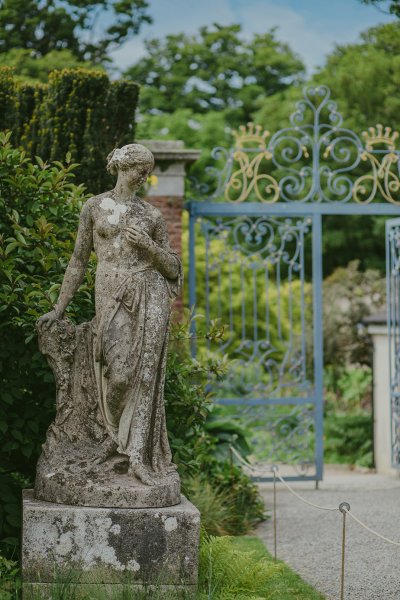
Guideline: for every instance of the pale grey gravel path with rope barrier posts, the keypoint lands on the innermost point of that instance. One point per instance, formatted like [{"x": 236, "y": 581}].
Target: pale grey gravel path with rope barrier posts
[{"x": 309, "y": 540}]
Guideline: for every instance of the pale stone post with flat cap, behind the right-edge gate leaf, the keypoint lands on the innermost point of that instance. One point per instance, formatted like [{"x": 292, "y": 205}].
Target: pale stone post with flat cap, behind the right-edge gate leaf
[{"x": 377, "y": 328}]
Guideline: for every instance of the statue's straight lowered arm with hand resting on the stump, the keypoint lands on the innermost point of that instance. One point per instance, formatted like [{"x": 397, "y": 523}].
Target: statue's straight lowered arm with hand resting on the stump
[{"x": 76, "y": 268}]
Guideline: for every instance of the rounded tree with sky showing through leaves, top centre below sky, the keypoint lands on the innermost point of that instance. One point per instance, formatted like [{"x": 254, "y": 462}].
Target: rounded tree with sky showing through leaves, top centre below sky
[{"x": 217, "y": 69}]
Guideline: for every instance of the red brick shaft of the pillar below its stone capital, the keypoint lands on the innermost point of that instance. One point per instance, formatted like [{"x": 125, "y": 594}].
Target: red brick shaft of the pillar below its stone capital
[{"x": 171, "y": 208}]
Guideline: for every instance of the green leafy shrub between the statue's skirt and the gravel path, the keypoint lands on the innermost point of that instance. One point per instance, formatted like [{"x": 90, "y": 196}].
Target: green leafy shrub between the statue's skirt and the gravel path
[{"x": 200, "y": 437}]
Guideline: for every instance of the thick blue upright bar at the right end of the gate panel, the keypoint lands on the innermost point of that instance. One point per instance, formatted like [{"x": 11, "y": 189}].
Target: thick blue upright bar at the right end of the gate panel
[{"x": 317, "y": 278}]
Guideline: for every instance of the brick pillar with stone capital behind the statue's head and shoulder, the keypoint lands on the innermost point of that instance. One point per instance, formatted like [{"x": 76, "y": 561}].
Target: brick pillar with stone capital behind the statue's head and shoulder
[{"x": 169, "y": 192}]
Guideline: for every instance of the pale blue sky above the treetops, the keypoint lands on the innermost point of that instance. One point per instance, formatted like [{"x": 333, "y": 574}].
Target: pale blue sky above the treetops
[{"x": 311, "y": 27}]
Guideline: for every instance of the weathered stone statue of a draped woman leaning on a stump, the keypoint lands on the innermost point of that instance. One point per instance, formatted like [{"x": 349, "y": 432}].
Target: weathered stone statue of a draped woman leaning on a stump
[{"x": 108, "y": 445}]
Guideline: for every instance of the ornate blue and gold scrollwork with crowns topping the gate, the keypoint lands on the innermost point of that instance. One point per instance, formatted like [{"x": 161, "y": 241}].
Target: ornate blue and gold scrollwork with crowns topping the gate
[{"x": 310, "y": 161}]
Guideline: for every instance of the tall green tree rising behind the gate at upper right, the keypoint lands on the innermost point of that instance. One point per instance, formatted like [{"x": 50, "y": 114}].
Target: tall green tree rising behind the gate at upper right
[{"x": 364, "y": 79}]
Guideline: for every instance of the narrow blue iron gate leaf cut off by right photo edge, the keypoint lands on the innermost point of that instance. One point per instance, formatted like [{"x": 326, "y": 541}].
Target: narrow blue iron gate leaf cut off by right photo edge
[{"x": 393, "y": 313}]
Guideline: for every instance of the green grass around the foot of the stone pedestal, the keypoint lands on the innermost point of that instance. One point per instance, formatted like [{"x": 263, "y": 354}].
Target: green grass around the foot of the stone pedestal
[{"x": 231, "y": 568}]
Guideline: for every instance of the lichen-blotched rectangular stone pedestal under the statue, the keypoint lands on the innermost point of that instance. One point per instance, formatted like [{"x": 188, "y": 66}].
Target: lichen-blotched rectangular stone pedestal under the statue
[{"x": 108, "y": 547}]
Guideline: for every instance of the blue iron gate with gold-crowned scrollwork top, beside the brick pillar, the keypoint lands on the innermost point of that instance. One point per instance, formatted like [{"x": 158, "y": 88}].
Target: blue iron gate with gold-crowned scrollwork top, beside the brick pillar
[{"x": 256, "y": 265}]
